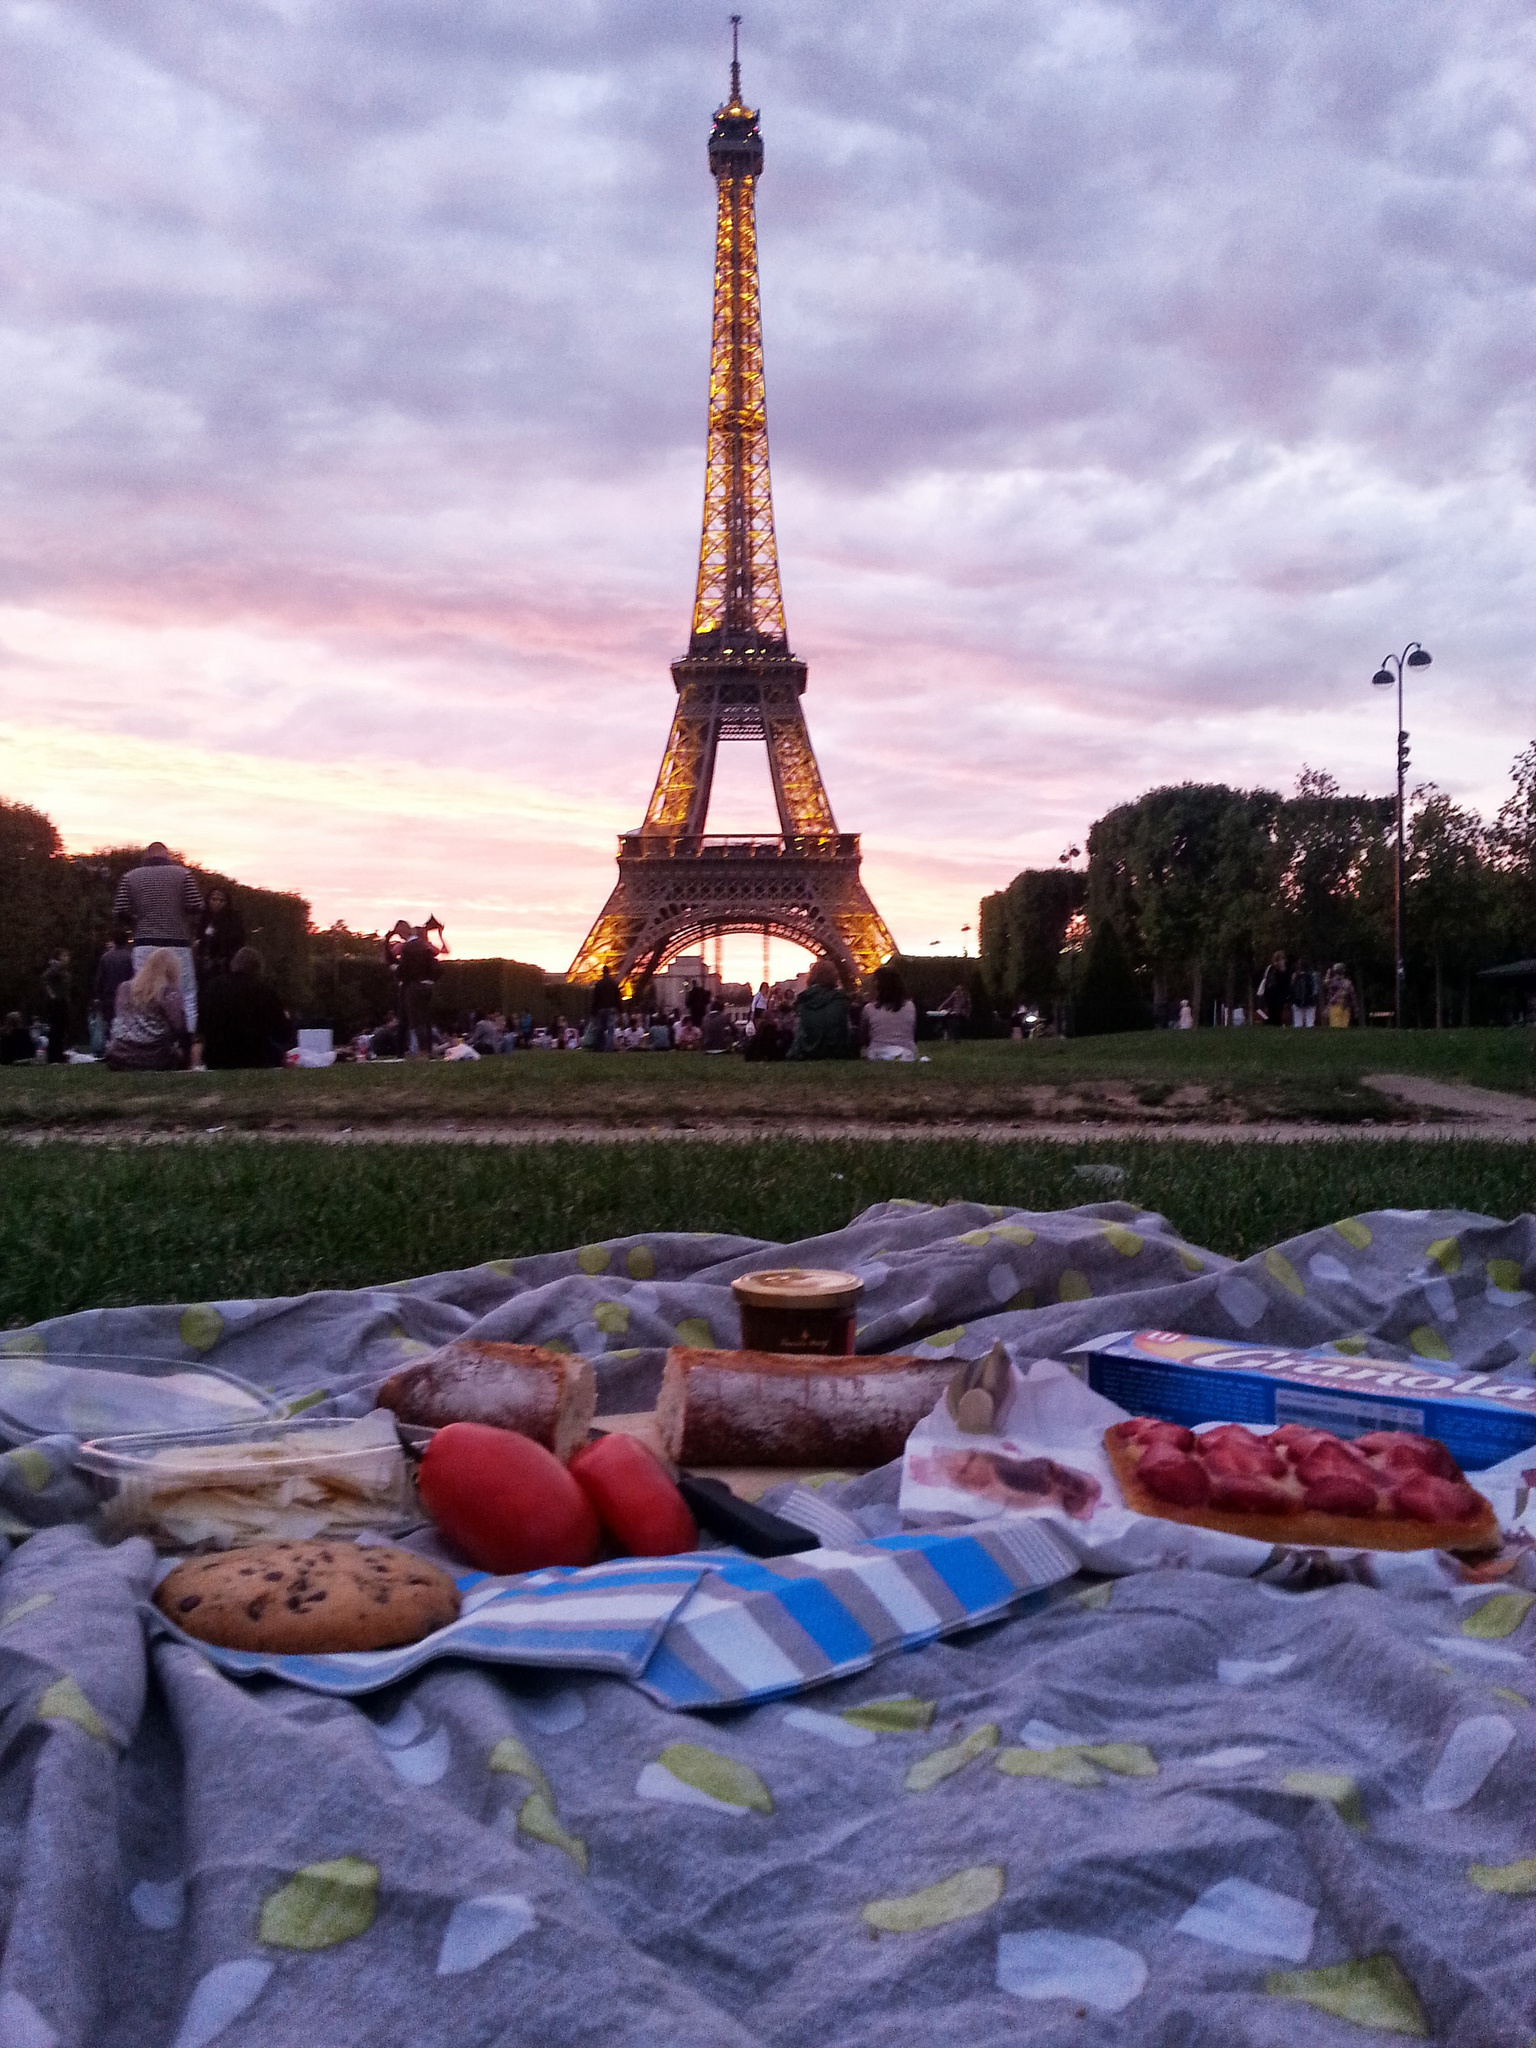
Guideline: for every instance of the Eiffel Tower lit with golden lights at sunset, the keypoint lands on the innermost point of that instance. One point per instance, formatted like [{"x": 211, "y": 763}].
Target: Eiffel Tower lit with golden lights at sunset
[{"x": 677, "y": 884}]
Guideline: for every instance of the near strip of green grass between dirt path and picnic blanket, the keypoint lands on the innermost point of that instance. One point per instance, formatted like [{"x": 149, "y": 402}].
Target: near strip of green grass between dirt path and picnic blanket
[{"x": 101, "y": 1226}]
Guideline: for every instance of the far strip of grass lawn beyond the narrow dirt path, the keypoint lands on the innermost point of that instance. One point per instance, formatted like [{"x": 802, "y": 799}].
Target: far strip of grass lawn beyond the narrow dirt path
[{"x": 1166, "y": 1076}]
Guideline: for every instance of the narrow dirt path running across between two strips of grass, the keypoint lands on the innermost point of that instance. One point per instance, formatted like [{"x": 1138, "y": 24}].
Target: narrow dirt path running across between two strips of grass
[{"x": 1502, "y": 1129}]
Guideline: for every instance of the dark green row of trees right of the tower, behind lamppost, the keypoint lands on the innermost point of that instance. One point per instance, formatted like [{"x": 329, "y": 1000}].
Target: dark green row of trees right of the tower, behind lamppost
[{"x": 1191, "y": 890}]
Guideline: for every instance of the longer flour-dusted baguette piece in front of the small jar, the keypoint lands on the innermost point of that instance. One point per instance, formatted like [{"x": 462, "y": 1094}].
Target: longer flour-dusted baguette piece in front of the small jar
[{"x": 790, "y": 1410}]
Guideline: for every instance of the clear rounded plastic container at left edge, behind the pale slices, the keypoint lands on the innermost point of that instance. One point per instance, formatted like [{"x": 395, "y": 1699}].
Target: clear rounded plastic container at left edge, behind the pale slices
[{"x": 97, "y": 1394}]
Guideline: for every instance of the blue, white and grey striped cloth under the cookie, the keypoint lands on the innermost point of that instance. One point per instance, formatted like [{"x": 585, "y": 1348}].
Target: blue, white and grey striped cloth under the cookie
[{"x": 714, "y": 1629}]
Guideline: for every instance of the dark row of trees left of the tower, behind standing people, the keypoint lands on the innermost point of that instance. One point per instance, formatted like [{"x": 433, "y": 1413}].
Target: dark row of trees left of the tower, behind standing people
[{"x": 54, "y": 900}]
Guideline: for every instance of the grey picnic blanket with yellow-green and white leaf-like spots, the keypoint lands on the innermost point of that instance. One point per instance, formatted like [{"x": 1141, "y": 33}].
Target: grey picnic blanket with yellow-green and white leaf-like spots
[{"x": 1162, "y": 1809}]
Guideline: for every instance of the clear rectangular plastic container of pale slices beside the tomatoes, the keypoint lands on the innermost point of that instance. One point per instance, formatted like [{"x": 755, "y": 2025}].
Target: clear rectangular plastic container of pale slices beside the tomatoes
[{"x": 212, "y": 1490}]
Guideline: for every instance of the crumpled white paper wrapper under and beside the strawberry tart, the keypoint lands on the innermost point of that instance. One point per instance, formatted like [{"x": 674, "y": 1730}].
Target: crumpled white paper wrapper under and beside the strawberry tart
[{"x": 1054, "y": 1416}]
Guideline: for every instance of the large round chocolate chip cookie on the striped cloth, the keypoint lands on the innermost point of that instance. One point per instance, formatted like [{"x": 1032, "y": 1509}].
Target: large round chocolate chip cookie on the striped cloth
[{"x": 308, "y": 1598}]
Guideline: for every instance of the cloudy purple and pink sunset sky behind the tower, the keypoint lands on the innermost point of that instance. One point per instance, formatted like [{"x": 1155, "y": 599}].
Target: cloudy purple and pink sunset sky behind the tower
[{"x": 1138, "y": 376}]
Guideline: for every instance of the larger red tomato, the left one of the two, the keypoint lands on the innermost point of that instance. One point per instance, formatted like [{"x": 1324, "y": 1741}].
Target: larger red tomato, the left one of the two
[{"x": 505, "y": 1500}]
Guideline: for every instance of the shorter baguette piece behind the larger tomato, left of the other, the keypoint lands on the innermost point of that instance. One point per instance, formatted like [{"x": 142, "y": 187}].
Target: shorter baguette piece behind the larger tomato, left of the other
[{"x": 546, "y": 1396}]
